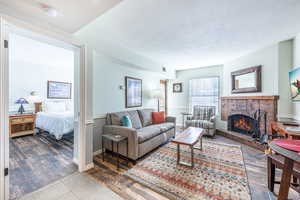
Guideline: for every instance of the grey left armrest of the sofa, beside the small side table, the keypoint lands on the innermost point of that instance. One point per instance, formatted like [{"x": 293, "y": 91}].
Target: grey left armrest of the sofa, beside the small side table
[{"x": 130, "y": 133}]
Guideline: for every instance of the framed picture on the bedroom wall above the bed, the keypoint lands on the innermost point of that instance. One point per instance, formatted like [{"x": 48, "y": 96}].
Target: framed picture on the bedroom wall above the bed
[{"x": 59, "y": 90}]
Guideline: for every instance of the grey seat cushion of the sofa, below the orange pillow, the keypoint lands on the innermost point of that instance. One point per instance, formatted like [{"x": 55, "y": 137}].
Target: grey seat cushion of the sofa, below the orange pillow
[{"x": 151, "y": 131}]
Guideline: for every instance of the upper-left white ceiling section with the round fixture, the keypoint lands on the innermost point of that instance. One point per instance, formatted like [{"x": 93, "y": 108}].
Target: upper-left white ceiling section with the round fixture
[{"x": 72, "y": 14}]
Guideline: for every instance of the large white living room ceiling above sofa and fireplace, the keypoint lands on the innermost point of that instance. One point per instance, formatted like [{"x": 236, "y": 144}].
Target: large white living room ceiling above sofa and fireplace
[{"x": 195, "y": 33}]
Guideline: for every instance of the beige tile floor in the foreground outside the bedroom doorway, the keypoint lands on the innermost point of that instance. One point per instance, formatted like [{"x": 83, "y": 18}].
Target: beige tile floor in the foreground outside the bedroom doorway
[{"x": 77, "y": 186}]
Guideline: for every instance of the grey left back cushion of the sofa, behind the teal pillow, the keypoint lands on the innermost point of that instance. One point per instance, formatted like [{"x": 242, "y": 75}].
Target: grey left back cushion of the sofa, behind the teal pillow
[{"x": 134, "y": 117}]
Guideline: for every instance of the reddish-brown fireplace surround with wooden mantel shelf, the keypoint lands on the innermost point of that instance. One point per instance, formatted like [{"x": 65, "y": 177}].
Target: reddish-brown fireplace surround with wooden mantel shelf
[{"x": 247, "y": 105}]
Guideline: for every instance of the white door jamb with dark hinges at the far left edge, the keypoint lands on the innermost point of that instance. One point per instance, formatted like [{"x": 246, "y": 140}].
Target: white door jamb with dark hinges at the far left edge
[{"x": 4, "y": 186}]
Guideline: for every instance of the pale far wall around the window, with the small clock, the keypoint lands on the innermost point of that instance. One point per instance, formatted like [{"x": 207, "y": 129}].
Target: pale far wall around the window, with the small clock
[{"x": 178, "y": 102}]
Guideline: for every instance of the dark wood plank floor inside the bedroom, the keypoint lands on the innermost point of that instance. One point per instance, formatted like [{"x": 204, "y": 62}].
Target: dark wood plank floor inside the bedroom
[{"x": 36, "y": 161}]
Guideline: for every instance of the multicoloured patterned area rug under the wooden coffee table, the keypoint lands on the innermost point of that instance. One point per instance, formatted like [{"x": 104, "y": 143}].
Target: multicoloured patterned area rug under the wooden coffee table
[{"x": 219, "y": 173}]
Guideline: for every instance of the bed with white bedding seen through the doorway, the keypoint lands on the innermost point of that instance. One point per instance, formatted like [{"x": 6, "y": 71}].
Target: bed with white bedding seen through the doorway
[{"x": 55, "y": 120}]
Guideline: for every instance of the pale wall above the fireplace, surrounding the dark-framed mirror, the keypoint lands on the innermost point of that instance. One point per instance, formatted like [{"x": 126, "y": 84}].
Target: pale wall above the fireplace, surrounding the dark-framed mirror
[{"x": 276, "y": 61}]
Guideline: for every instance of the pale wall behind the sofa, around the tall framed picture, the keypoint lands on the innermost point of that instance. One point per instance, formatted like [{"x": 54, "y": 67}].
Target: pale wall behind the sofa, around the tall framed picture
[{"x": 108, "y": 75}]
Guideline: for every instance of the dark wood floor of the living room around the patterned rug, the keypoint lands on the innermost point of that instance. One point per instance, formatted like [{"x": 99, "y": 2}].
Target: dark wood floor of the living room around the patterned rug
[{"x": 255, "y": 161}]
